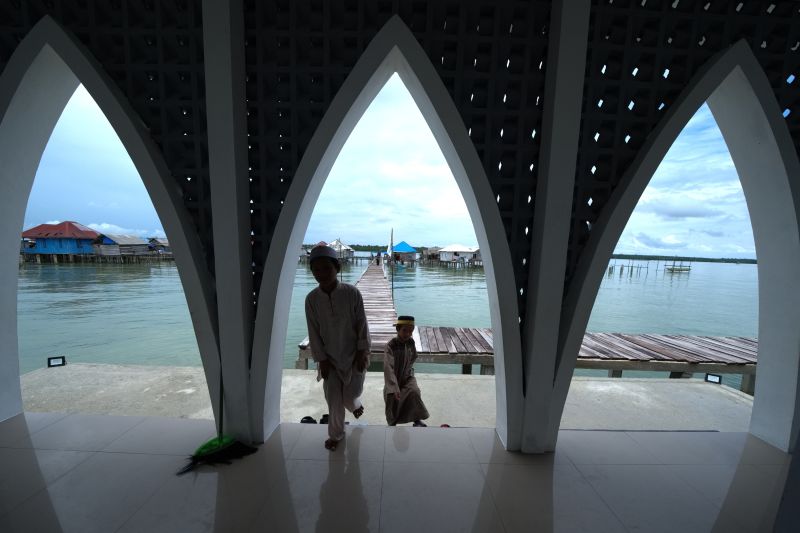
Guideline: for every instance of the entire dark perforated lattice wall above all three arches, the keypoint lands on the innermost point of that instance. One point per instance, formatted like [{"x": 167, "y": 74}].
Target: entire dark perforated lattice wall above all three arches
[{"x": 490, "y": 56}]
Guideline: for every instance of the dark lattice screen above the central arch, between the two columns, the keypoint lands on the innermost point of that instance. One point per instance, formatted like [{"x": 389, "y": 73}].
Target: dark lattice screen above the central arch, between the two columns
[{"x": 490, "y": 56}]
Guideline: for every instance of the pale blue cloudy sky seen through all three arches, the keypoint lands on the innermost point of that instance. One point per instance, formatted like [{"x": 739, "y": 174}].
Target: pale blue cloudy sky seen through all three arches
[{"x": 391, "y": 174}]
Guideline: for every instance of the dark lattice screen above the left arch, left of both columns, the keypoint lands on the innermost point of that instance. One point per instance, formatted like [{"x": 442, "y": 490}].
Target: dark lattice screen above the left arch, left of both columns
[{"x": 154, "y": 53}]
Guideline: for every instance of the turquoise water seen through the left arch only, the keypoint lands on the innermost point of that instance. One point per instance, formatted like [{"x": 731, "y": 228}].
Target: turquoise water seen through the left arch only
[{"x": 127, "y": 314}]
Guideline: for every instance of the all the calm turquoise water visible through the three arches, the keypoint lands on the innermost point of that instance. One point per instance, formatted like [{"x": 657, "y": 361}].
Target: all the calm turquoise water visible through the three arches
[{"x": 137, "y": 314}]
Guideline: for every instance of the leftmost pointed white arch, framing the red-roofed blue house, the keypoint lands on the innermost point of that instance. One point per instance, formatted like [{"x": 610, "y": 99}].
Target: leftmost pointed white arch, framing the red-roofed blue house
[{"x": 35, "y": 86}]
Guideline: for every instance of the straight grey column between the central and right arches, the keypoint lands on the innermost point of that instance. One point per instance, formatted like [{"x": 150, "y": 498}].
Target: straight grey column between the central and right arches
[{"x": 563, "y": 97}]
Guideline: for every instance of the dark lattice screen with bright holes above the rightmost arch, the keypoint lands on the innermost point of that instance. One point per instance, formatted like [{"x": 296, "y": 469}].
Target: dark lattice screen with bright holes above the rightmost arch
[{"x": 641, "y": 56}]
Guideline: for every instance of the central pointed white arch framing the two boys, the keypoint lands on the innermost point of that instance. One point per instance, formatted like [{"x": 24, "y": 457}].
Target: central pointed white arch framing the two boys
[{"x": 394, "y": 49}]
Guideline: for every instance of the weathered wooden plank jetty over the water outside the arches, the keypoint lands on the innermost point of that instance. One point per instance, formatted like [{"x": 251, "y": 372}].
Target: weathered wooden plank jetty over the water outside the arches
[{"x": 680, "y": 355}]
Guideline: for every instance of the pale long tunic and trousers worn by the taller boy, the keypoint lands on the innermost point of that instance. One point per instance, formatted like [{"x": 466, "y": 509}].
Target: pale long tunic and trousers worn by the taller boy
[{"x": 337, "y": 328}]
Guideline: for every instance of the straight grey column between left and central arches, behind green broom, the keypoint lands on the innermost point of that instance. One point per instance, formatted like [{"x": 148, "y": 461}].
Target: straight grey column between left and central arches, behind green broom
[{"x": 223, "y": 38}]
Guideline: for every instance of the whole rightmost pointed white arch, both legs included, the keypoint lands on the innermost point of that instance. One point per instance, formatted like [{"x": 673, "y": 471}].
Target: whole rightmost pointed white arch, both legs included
[{"x": 770, "y": 180}]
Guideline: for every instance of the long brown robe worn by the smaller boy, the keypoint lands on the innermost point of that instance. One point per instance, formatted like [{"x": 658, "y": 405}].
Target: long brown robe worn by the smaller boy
[{"x": 398, "y": 374}]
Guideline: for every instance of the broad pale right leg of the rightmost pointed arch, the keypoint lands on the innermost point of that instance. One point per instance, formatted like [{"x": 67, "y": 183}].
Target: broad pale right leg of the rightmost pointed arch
[{"x": 764, "y": 155}]
